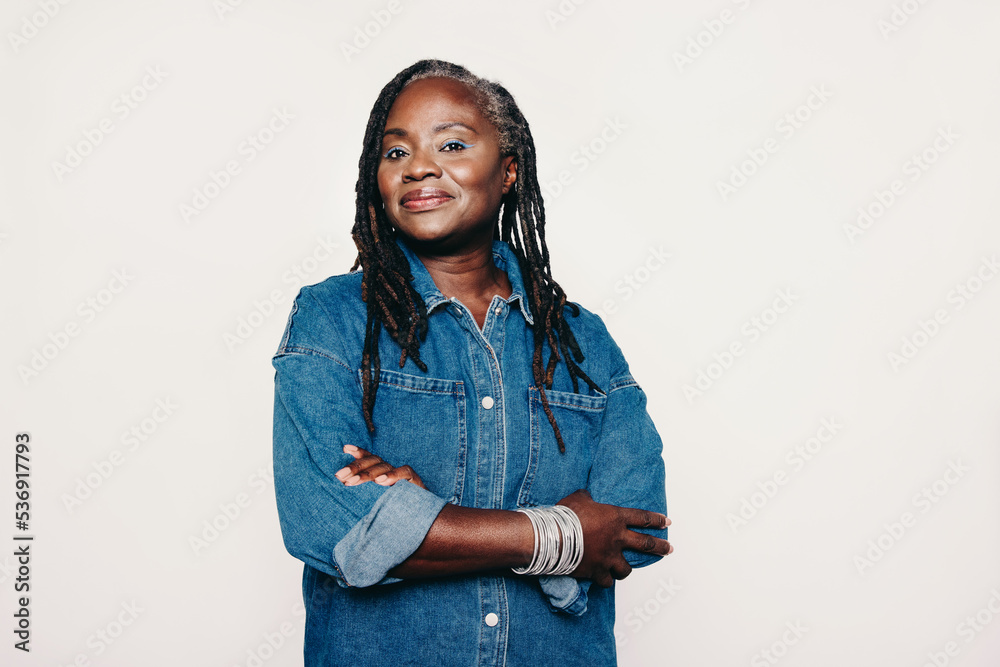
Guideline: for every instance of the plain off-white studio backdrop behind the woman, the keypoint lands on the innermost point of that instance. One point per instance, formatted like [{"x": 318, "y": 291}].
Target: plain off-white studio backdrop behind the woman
[{"x": 786, "y": 212}]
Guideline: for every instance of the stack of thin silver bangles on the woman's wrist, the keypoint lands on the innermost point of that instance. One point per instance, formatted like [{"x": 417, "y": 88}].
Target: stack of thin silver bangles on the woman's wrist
[{"x": 558, "y": 540}]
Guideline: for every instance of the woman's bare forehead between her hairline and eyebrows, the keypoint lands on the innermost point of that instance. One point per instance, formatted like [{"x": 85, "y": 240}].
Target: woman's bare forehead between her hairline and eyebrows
[{"x": 433, "y": 100}]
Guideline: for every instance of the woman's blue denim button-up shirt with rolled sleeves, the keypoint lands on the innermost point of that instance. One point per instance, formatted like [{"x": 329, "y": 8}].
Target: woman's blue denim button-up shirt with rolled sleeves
[{"x": 474, "y": 429}]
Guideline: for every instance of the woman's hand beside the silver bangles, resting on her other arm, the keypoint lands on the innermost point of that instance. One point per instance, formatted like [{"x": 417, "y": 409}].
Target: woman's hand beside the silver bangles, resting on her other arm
[{"x": 606, "y": 534}]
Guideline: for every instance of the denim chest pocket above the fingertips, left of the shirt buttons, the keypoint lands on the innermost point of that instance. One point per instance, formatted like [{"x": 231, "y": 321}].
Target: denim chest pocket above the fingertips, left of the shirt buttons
[{"x": 420, "y": 422}]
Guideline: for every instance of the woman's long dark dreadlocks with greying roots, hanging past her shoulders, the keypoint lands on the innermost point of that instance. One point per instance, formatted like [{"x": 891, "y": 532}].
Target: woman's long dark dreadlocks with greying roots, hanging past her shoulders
[{"x": 386, "y": 285}]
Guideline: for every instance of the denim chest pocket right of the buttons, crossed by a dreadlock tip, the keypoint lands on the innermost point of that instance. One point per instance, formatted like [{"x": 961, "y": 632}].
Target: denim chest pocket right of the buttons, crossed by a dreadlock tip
[{"x": 552, "y": 475}]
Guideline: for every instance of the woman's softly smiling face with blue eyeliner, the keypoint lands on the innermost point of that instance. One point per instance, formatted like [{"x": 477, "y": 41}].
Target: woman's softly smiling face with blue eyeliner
[{"x": 441, "y": 175}]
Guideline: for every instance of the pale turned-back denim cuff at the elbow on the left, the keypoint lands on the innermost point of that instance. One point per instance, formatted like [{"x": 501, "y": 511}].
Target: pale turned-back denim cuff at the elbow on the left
[{"x": 386, "y": 536}]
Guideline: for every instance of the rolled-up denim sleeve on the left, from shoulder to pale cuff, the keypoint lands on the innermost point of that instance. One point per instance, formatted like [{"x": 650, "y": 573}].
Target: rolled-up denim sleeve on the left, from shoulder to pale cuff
[{"x": 358, "y": 533}]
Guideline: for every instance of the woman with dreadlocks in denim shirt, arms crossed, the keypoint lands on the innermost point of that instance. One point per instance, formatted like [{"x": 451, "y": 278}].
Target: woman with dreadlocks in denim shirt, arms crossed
[{"x": 400, "y": 488}]
